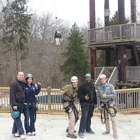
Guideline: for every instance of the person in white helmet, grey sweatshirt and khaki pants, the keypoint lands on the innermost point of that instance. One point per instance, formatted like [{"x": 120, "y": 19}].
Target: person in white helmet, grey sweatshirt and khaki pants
[{"x": 105, "y": 99}]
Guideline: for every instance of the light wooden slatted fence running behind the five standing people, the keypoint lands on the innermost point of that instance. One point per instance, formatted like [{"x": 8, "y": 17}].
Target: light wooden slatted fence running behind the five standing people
[{"x": 50, "y": 101}]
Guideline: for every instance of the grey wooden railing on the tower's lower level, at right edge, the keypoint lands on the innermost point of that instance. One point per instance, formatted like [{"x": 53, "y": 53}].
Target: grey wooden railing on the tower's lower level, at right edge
[{"x": 133, "y": 73}]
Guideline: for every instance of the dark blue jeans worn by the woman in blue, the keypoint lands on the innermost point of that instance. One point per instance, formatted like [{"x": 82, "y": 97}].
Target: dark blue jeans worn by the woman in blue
[{"x": 29, "y": 119}]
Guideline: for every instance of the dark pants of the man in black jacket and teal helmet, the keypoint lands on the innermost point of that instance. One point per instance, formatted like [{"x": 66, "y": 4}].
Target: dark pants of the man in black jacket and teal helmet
[{"x": 87, "y": 113}]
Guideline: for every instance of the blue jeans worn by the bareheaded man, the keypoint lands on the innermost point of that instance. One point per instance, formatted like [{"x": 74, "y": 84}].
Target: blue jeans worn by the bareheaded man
[{"x": 17, "y": 125}]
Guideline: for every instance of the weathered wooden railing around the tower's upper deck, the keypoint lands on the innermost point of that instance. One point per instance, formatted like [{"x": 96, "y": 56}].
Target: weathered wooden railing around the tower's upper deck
[{"x": 116, "y": 33}]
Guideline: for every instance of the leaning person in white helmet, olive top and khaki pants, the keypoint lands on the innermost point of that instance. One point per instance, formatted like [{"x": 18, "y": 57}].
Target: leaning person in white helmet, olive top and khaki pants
[{"x": 69, "y": 97}]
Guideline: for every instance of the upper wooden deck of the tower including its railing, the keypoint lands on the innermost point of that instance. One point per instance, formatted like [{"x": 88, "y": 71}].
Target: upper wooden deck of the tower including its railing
[{"x": 111, "y": 36}]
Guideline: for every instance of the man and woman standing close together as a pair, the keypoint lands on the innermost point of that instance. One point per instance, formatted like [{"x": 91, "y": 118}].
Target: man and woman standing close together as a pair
[{"x": 23, "y": 100}]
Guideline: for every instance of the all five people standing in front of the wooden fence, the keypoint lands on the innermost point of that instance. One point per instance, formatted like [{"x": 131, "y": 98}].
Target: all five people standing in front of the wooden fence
[{"x": 23, "y": 100}]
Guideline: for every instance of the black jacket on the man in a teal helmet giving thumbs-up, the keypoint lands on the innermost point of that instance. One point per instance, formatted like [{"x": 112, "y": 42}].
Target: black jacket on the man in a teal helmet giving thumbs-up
[{"x": 89, "y": 89}]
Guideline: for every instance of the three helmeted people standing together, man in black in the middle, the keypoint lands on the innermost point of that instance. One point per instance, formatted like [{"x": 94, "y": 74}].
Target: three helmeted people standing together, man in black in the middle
[{"x": 89, "y": 101}]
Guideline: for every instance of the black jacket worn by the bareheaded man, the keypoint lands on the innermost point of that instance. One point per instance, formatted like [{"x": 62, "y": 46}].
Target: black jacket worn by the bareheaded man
[{"x": 17, "y": 92}]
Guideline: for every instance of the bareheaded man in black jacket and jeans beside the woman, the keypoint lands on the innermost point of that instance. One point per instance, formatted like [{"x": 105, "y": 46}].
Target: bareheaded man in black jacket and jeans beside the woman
[{"x": 17, "y": 97}]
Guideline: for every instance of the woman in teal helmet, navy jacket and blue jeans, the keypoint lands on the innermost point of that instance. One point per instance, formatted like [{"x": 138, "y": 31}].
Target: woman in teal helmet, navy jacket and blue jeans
[{"x": 30, "y": 104}]
